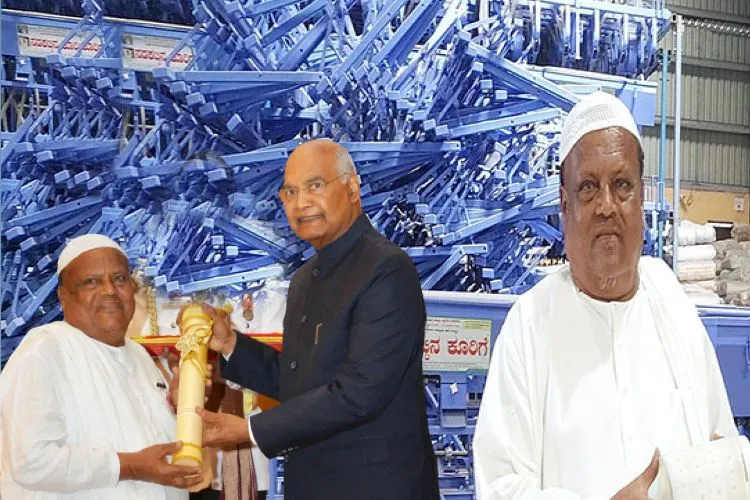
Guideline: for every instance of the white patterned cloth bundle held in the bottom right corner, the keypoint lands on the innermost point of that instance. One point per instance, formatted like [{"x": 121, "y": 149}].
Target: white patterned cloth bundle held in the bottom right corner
[{"x": 717, "y": 470}]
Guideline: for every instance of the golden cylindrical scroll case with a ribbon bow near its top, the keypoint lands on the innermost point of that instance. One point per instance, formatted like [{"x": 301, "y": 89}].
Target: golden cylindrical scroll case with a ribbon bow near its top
[{"x": 195, "y": 332}]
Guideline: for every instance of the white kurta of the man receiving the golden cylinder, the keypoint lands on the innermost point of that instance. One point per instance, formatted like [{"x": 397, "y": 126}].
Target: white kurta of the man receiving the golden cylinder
[{"x": 68, "y": 404}]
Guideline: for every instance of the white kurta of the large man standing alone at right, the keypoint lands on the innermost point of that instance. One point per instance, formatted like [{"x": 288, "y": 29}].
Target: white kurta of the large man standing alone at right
[{"x": 580, "y": 392}]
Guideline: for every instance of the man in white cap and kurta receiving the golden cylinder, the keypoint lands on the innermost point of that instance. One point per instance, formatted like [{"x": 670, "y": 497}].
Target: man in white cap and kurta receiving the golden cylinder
[{"x": 83, "y": 410}]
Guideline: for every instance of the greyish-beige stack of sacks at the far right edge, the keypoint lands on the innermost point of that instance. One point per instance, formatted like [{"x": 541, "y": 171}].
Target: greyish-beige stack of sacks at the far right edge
[{"x": 733, "y": 264}]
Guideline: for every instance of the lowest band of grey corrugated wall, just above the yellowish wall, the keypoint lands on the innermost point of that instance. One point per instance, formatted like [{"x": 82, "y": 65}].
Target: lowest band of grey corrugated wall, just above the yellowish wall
[{"x": 707, "y": 157}]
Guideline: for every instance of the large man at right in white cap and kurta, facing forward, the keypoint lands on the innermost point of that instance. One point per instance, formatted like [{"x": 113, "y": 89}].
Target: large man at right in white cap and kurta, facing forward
[{"x": 604, "y": 364}]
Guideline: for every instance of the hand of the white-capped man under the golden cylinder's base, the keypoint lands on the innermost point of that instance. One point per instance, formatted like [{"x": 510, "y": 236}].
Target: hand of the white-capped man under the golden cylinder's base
[{"x": 150, "y": 465}]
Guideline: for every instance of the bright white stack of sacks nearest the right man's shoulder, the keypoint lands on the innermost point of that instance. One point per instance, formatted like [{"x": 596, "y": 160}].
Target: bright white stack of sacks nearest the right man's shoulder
[{"x": 696, "y": 268}]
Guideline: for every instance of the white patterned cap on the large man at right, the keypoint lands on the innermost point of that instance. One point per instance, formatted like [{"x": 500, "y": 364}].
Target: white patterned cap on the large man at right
[{"x": 596, "y": 111}]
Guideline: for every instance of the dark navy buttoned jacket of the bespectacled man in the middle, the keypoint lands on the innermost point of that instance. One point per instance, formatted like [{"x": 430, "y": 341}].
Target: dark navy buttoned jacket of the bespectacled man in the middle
[{"x": 352, "y": 425}]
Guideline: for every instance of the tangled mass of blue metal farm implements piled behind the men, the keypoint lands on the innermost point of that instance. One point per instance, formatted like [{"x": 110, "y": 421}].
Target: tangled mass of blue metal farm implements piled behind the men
[{"x": 450, "y": 109}]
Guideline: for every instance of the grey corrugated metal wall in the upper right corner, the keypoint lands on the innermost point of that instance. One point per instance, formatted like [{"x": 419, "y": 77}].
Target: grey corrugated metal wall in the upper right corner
[{"x": 711, "y": 98}]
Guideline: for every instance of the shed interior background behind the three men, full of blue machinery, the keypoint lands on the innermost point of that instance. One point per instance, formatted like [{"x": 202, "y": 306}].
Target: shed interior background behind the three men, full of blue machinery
[{"x": 167, "y": 126}]
